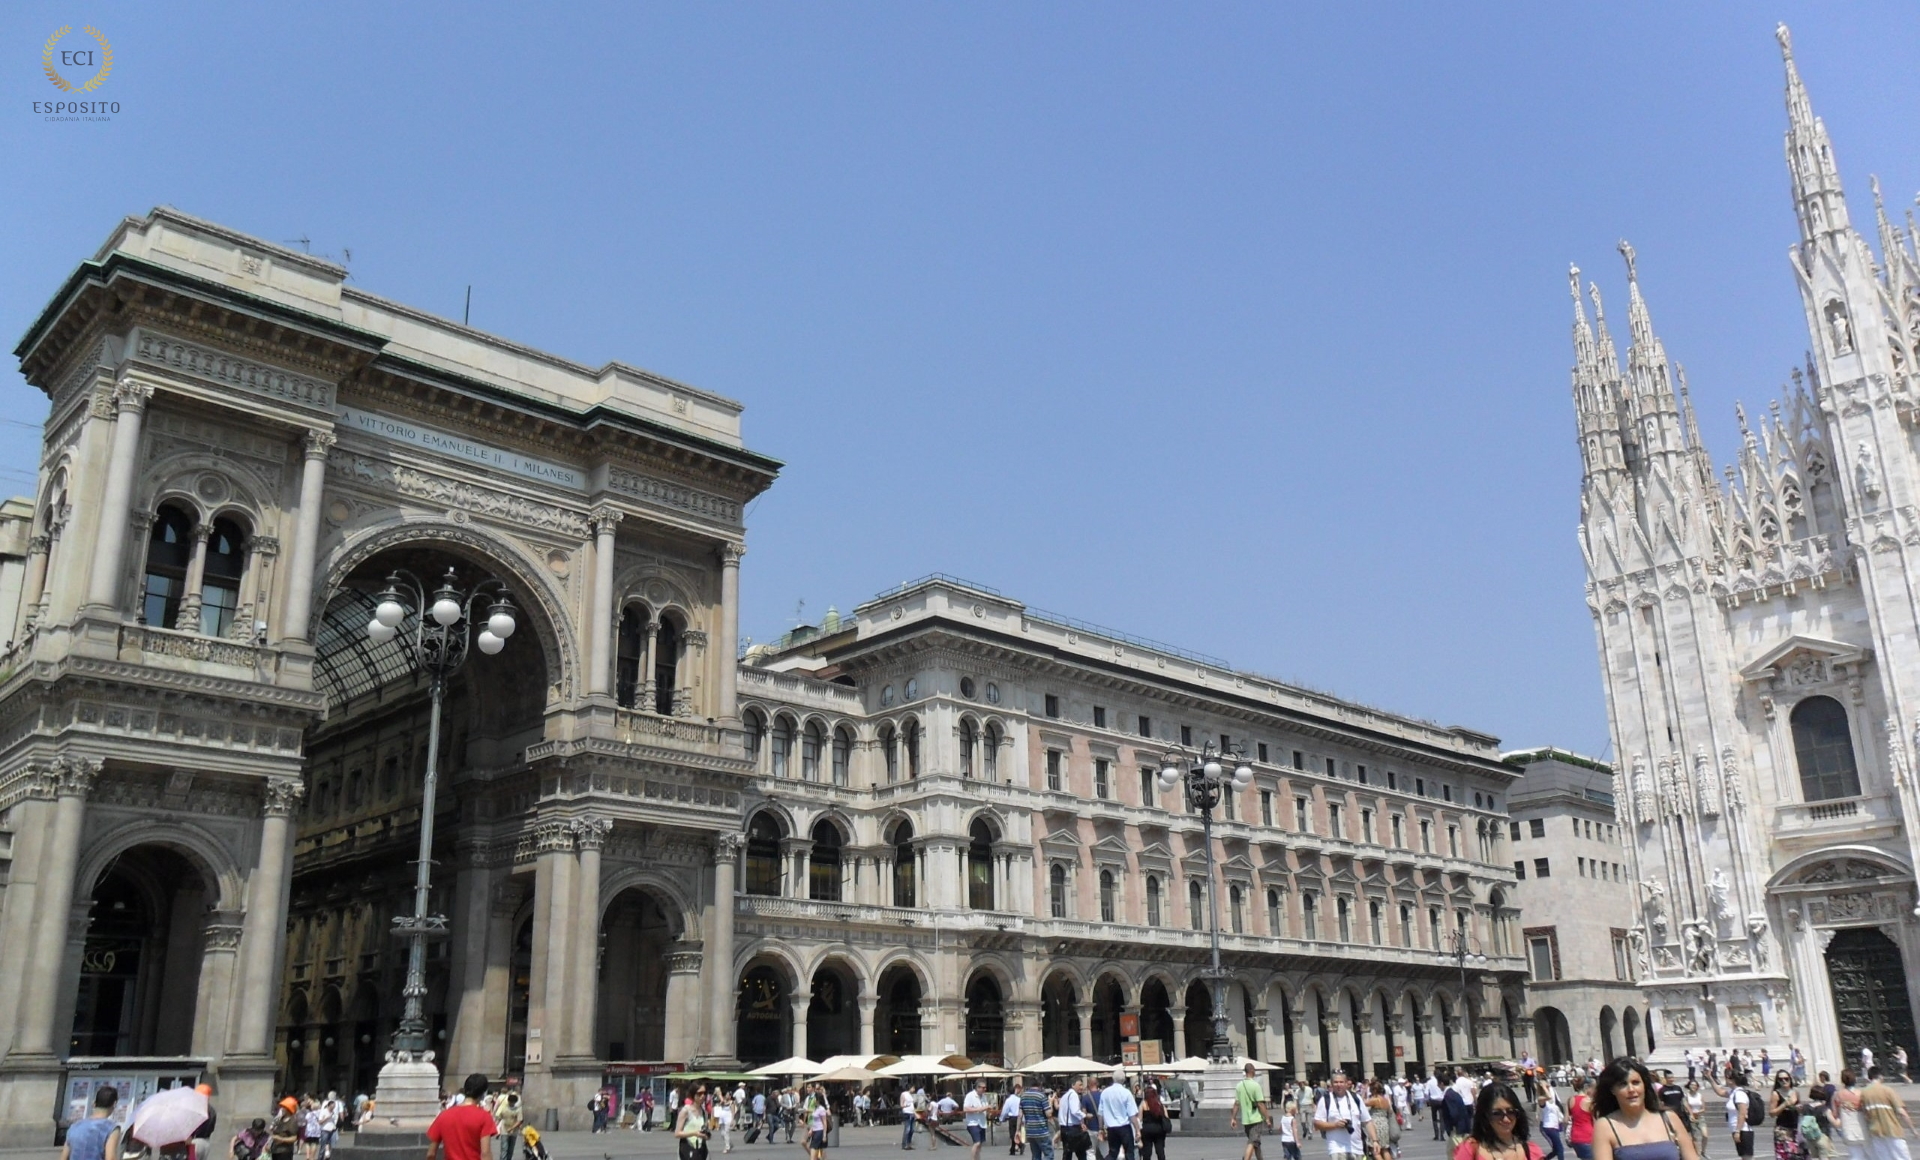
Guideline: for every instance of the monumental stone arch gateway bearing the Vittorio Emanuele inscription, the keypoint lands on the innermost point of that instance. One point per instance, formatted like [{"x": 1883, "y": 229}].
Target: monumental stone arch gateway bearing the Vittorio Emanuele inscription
[{"x": 210, "y": 773}]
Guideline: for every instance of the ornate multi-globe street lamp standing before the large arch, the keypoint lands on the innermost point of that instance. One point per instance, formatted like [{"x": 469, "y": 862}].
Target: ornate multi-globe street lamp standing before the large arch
[{"x": 437, "y": 631}]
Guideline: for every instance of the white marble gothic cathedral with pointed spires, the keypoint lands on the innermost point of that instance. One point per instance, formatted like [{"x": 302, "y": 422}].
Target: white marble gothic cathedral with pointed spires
[{"x": 1760, "y": 652}]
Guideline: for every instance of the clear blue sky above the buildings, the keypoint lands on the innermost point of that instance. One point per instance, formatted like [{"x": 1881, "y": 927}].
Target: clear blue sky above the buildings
[{"x": 1236, "y": 326}]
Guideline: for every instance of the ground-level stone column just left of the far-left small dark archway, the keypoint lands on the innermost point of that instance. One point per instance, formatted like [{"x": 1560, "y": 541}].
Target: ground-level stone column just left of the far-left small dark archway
[{"x": 41, "y": 996}]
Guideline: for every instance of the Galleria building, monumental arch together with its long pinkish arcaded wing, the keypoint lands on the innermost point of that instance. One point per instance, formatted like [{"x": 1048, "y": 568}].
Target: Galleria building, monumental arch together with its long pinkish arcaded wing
[{"x": 928, "y": 827}]
